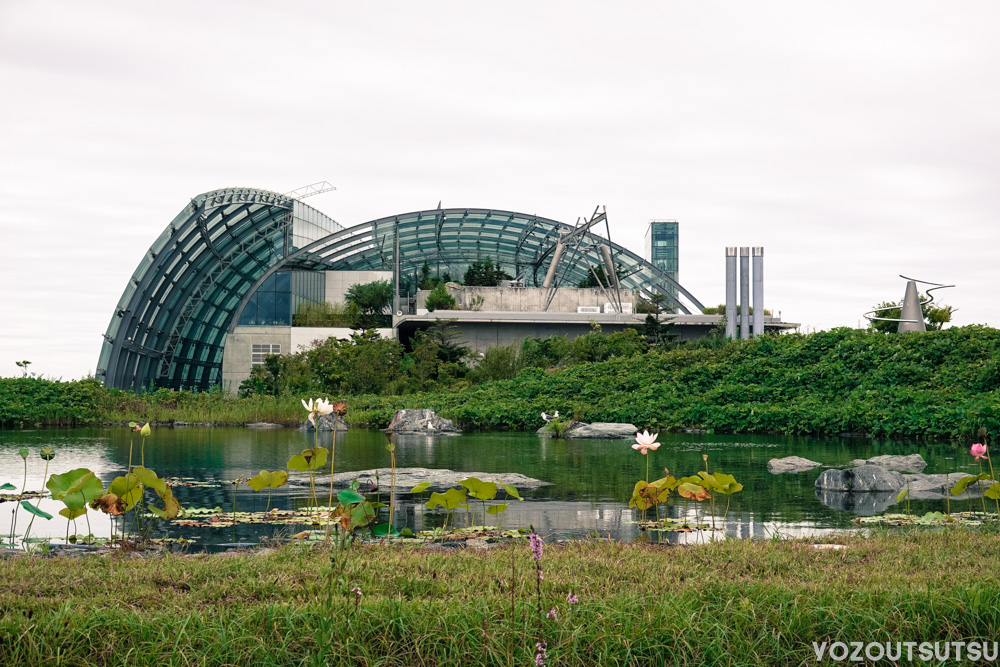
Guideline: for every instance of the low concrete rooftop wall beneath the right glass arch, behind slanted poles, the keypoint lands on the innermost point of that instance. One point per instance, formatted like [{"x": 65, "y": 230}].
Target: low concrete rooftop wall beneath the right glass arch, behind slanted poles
[{"x": 527, "y": 299}]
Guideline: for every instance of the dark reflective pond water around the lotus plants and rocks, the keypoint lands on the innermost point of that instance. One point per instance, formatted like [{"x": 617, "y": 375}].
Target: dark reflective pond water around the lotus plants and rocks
[{"x": 590, "y": 481}]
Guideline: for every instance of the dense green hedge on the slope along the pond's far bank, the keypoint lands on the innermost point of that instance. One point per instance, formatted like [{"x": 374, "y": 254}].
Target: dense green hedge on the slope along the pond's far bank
[{"x": 935, "y": 384}]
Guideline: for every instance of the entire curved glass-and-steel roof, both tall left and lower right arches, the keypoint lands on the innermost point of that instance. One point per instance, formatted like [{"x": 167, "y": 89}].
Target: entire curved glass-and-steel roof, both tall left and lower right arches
[{"x": 169, "y": 328}]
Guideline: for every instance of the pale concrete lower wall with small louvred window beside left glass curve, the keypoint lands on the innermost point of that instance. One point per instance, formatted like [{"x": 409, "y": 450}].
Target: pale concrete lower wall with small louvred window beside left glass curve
[{"x": 236, "y": 361}]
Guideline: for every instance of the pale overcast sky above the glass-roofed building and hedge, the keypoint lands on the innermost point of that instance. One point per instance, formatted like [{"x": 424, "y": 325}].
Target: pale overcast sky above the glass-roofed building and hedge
[{"x": 855, "y": 141}]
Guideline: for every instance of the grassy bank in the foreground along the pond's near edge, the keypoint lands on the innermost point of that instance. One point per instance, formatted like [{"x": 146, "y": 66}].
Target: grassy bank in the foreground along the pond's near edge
[{"x": 736, "y": 602}]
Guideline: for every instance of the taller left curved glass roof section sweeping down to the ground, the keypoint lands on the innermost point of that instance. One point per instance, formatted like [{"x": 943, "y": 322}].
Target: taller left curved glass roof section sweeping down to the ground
[{"x": 169, "y": 328}]
